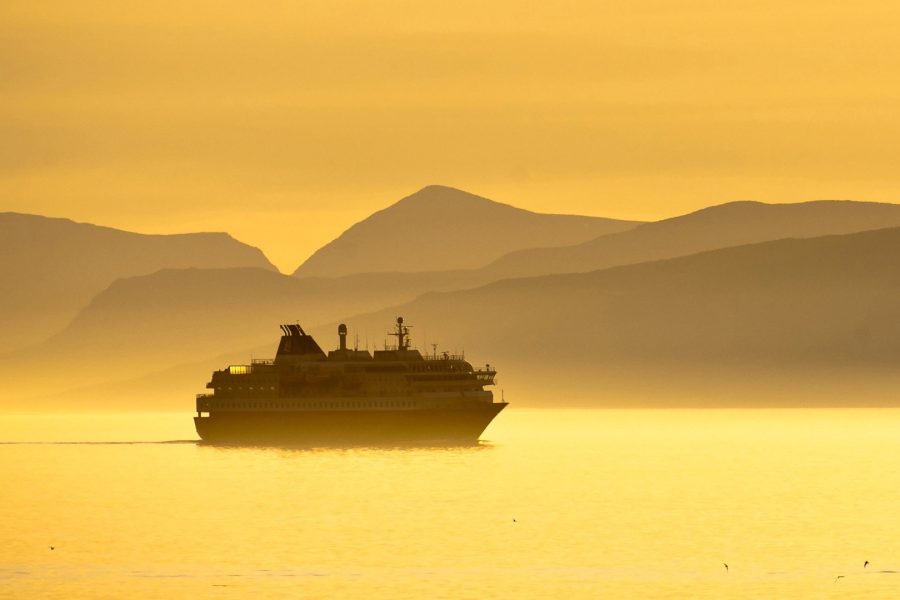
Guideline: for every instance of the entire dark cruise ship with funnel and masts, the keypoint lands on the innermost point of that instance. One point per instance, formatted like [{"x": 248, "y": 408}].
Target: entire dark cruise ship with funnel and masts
[{"x": 348, "y": 396}]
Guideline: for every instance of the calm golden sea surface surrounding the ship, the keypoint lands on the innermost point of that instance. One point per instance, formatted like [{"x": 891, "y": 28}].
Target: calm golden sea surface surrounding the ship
[{"x": 552, "y": 504}]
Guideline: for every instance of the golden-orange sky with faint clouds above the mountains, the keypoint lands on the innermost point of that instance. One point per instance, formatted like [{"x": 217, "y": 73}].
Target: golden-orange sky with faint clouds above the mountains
[{"x": 285, "y": 122}]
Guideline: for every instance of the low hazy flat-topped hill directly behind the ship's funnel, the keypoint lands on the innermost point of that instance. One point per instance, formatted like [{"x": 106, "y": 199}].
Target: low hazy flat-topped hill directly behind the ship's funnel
[{"x": 217, "y": 309}]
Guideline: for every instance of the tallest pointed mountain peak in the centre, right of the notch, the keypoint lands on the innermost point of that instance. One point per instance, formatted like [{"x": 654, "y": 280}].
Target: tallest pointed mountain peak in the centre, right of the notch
[{"x": 440, "y": 228}]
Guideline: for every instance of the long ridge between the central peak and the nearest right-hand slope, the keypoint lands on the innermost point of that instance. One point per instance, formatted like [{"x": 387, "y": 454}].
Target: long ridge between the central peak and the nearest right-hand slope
[{"x": 732, "y": 224}]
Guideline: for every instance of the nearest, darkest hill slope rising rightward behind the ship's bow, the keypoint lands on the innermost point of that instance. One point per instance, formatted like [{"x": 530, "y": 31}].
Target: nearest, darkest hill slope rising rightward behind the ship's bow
[{"x": 797, "y": 318}]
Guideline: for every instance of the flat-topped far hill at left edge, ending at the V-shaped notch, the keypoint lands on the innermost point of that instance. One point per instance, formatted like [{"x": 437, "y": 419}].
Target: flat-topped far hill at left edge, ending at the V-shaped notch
[{"x": 50, "y": 268}]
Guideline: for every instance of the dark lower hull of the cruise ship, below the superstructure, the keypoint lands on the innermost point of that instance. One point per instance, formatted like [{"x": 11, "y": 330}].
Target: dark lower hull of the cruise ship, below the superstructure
[{"x": 348, "y": 427}]
